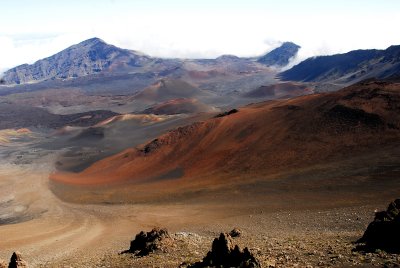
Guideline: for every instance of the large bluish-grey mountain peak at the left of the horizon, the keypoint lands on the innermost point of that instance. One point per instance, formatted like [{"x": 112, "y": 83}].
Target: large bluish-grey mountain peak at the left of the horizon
[{"x": 89, "y": 57}]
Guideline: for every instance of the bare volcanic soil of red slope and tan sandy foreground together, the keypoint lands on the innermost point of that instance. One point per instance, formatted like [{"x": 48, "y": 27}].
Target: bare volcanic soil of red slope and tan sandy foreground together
[{"x": 301, "y": 178}]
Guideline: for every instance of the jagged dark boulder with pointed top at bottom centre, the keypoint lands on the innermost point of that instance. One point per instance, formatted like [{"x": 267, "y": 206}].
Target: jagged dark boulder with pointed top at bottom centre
[{"x": 224, "y": 254}]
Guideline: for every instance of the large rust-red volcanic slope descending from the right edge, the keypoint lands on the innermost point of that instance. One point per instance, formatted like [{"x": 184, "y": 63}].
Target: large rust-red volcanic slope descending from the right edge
[{"x": 259, "y": 140}]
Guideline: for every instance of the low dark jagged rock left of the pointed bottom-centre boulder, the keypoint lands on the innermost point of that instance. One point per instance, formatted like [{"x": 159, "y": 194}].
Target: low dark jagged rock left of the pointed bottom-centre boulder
[{"x": 145, "y": 243}]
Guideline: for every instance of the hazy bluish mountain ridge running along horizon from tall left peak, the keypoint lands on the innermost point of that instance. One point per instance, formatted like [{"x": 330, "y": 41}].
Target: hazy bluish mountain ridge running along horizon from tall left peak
[{"x": 94, "y": 56}]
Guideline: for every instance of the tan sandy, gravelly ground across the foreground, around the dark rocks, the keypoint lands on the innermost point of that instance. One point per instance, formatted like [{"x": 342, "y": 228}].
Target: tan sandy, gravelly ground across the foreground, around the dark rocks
[{"x": 58, "y": 234}]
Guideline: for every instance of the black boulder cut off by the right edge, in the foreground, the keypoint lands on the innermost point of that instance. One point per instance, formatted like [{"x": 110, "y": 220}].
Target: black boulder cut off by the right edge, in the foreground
[{"x": 384, "y": 231}]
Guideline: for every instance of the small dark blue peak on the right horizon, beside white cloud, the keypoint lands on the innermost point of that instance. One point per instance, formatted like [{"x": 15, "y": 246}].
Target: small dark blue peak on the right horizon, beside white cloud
[{"x": 280, "y": 56}]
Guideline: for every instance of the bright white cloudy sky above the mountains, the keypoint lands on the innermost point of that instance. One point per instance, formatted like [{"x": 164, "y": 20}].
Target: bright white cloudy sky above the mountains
[{"x": 34, "y": 29}]
